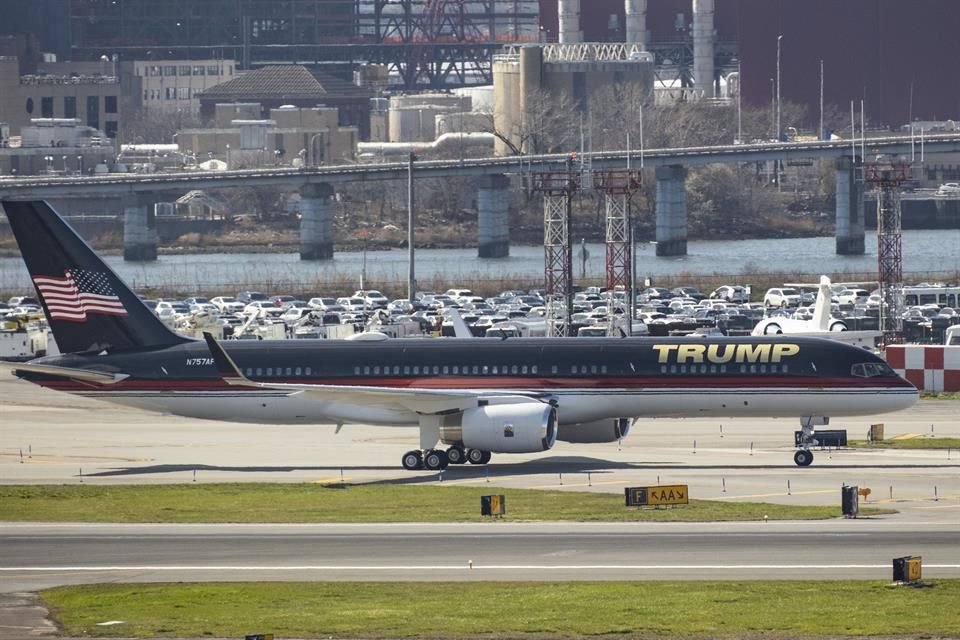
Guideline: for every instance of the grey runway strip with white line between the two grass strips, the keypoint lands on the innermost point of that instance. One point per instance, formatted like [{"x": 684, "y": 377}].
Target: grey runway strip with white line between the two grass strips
[{"x": 34, "y": 556}]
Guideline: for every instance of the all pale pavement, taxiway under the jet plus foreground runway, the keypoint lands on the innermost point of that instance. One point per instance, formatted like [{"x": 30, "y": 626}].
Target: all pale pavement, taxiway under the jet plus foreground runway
[{"x": 50, "y": 438}]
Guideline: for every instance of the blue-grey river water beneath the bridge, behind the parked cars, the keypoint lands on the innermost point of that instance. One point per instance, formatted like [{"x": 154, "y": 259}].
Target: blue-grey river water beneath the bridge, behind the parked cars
[{"x": 926, "y": 253}]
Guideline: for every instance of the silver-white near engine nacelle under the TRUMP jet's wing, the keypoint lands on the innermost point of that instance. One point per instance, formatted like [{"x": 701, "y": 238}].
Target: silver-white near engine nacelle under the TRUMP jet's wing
[{"x": 523, "y": 427}]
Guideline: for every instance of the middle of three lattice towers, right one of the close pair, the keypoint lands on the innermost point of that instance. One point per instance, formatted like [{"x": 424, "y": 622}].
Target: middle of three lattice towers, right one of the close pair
[{"x": 618, "y": 187}]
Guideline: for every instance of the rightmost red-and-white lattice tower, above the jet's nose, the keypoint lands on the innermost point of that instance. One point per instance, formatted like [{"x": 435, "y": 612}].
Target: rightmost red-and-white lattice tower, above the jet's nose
[{"x": 888, "y": 176}]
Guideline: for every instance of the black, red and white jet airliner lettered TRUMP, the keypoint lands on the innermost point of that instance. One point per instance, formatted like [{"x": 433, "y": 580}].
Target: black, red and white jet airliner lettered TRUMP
[{"x": 468, "y": 397}]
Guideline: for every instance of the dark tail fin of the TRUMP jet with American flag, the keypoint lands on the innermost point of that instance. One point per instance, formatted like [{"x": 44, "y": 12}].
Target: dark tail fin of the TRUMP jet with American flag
[{"x": 88, "y": 307}]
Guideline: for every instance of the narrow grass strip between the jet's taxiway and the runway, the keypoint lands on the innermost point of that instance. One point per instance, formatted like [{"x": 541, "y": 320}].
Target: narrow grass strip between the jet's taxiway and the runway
[{"x": 307, "y": 503}]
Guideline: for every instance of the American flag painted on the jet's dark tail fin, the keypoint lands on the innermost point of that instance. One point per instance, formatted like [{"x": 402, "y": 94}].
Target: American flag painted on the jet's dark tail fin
[{"x": 80, "y": 292}]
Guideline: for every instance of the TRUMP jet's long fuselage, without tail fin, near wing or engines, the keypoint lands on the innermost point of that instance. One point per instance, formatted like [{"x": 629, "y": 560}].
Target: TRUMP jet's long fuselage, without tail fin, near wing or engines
[{"x": 589, "y": 379}]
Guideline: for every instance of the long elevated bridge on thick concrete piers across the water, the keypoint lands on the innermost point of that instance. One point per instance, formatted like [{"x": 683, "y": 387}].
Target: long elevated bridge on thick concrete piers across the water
[{"x": 317, "y": 186}]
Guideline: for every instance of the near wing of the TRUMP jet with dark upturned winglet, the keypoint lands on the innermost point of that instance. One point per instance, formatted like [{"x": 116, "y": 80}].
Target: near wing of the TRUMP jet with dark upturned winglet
[{"x": 415, "y": 400}]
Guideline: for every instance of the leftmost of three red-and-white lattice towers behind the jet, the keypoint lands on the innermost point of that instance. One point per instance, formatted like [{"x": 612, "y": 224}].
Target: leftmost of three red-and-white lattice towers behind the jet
[{"x": 557, "y": 188}]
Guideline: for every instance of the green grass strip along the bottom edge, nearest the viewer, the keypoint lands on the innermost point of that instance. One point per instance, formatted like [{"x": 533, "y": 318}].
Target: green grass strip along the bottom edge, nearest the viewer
[{"x": 747, "y": 609}]
